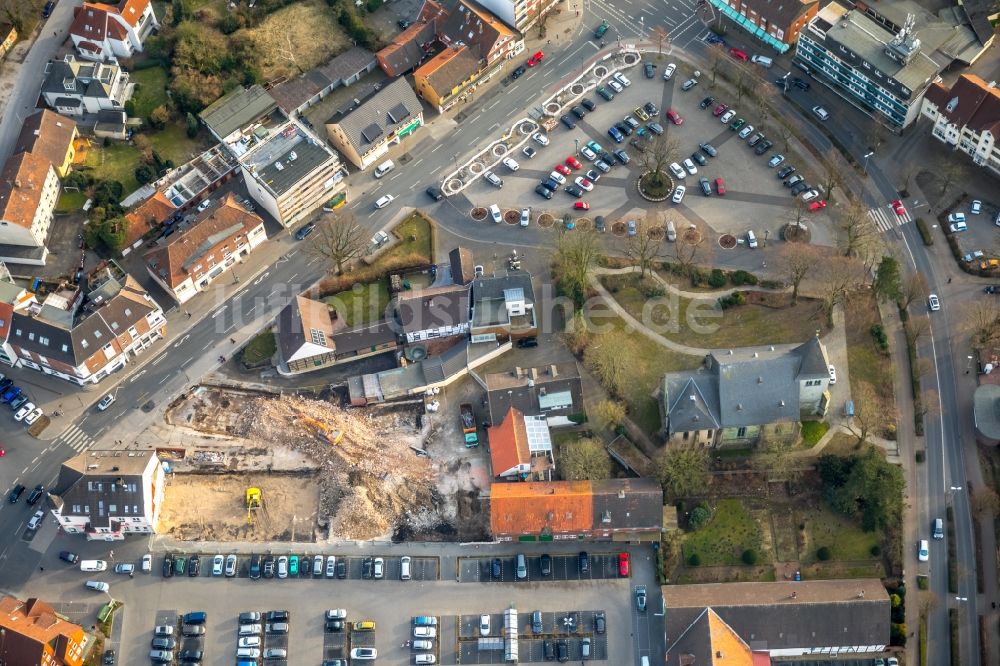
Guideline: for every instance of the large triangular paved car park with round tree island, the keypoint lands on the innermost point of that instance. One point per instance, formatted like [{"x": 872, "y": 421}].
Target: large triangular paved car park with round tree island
[{"x": 765, "y": 205}]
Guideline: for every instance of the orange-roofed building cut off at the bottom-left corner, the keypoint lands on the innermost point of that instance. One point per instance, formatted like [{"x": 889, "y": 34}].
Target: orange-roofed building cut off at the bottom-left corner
[{"x": 34, "y": 635}]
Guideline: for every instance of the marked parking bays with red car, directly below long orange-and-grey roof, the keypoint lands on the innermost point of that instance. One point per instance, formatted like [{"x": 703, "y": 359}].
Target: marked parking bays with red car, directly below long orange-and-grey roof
[{"x": 564, "y": 567}]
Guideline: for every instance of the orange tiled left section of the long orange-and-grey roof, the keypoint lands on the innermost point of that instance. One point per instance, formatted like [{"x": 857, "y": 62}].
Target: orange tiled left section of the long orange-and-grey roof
[{"x": 533, "y": 507}]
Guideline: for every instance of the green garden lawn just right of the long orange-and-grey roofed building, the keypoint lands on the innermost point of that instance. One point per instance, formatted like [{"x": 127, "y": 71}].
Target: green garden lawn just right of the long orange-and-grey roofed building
[{"x": 731, "y": 530}]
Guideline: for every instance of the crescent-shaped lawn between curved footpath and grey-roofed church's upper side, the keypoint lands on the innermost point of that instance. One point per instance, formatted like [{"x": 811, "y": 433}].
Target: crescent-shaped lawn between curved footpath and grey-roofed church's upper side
[{"x": 700, "y": 323}]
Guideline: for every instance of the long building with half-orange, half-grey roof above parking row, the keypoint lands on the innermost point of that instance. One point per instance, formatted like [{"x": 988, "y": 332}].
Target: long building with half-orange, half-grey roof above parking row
[{"x": 610, "y": 510}]
